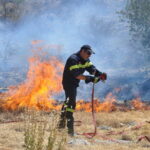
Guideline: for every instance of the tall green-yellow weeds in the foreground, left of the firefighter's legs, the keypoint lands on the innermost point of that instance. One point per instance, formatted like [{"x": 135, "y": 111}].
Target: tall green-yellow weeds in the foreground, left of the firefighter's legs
[{"x": 41, "y": 133}]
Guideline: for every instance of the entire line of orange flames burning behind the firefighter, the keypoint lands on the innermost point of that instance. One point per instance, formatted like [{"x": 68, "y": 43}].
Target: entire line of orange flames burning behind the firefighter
[{"x": 43, "y": 81}]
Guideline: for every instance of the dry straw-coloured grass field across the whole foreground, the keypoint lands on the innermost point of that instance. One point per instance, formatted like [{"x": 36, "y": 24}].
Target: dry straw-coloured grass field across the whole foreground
[{"x": 43, "y": 126}]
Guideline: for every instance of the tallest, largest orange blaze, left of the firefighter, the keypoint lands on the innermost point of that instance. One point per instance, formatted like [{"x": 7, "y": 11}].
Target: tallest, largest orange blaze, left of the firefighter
[{"x": 43, "y": 80}]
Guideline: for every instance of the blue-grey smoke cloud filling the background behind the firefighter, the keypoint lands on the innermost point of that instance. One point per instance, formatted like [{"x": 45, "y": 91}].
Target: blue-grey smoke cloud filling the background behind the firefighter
[{"x": 65, "y": 26}]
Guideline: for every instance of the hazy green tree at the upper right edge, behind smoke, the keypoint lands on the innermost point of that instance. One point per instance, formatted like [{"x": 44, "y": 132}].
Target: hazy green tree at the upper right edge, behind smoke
[{"x": 137, "y": 13}]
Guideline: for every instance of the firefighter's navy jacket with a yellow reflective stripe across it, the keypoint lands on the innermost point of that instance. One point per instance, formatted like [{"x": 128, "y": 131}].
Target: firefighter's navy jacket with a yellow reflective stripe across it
[{"x": 75, "y": 66}]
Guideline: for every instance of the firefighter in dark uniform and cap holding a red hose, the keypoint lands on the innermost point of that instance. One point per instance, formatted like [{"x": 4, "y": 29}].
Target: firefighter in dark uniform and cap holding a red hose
[{"x": 75, "y": 66}]
